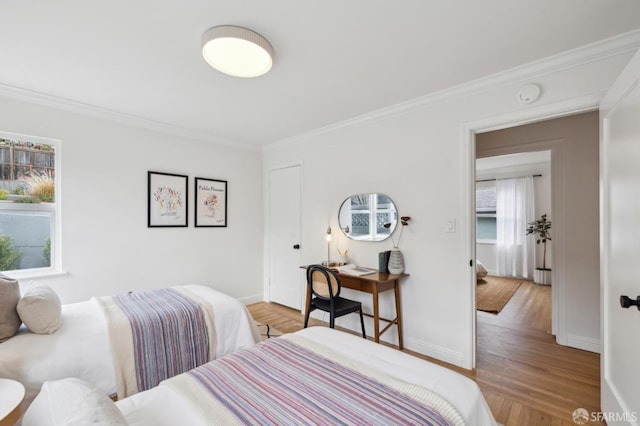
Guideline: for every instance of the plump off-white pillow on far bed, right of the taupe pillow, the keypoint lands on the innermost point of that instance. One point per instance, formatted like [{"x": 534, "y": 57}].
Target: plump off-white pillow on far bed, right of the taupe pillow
[{"x": 40, "y": 309}]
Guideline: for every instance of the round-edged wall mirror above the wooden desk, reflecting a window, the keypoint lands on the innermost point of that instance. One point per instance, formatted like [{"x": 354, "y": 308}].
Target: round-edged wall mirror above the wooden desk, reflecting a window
[{"x": 363, "y": 217}]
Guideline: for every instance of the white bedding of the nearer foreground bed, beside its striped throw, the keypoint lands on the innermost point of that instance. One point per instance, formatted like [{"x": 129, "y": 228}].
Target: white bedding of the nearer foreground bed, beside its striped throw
[{"x": 168, "y": 404}]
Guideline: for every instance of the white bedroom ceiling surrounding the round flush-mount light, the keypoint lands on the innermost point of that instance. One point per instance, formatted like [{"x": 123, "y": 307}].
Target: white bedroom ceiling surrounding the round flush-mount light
[{"x": 334, "y": 59}]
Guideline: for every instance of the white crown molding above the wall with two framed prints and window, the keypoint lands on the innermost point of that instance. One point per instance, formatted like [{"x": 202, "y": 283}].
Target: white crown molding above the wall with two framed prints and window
[{"x": 68, "y": 105}]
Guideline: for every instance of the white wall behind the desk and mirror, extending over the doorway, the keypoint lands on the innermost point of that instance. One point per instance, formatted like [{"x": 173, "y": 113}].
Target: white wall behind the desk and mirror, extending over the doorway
[{"x": 418, "y": 154}]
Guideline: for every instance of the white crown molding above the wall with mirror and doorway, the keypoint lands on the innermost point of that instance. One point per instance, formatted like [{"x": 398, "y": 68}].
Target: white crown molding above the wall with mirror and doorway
[{"x": 620, "y": 44}]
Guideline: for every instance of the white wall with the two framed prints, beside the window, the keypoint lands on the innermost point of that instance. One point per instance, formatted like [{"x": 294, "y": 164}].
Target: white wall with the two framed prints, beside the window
[{"x": 107, "y": 246}]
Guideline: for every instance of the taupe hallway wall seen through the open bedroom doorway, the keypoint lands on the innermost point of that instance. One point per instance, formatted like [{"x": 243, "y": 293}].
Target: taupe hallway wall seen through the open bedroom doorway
[{"x": 573, "y": 142}]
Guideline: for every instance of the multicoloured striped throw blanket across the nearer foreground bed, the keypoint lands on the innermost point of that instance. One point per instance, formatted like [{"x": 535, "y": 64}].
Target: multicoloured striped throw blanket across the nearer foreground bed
[{"x": 279, "y": 382}]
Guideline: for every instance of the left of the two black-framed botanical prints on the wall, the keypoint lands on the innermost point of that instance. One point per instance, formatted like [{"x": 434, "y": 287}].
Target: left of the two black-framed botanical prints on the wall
[{"x": 167, "y": 200}]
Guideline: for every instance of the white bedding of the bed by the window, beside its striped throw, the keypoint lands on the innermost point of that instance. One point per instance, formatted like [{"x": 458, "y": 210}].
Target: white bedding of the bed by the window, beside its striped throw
[{"x": 82, "y": 347}]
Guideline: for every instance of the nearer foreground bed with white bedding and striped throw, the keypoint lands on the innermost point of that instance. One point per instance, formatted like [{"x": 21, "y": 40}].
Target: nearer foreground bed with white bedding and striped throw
[{"x": 184, "y": 399}]
